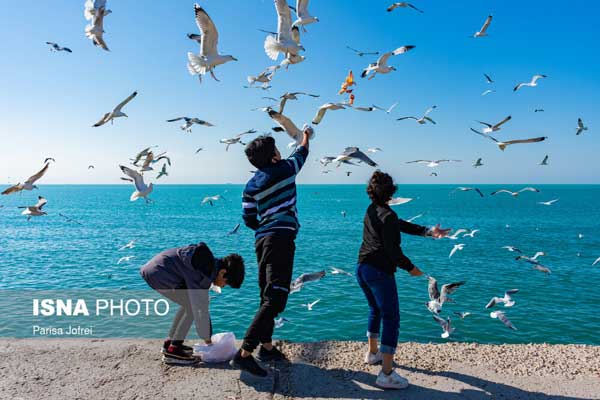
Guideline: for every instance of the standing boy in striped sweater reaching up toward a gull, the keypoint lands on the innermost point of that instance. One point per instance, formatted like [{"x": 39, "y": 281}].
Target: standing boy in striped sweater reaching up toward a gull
[{"x": 269, "y": 208}]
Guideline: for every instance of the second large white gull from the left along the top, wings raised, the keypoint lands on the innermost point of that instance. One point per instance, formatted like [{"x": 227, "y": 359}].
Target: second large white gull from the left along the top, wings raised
[{"x": 209, "y": 57}]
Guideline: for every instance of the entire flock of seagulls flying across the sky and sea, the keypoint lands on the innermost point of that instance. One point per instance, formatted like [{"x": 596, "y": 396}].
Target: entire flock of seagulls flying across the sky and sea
[{"x": 285, "y": 42}]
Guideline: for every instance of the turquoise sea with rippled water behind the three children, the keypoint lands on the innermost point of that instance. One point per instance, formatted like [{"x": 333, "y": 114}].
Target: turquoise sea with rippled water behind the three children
[{"x": 50, "y": 253}]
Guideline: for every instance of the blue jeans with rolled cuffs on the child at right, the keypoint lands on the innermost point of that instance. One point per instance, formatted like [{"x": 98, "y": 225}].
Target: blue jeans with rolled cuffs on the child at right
[{"x": 382, "y": 295}]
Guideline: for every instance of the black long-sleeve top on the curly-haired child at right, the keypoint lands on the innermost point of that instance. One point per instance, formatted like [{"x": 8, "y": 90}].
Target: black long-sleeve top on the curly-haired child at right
[{"x": 381, "y": 239}]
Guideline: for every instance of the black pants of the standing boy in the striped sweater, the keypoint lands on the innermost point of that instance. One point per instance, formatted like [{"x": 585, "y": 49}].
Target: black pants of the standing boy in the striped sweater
[{"x": 275, "y": 256}]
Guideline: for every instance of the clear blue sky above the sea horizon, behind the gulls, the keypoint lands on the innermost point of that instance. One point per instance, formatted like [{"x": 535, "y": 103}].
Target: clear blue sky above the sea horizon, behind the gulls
[{"x": 50, "y": 100}]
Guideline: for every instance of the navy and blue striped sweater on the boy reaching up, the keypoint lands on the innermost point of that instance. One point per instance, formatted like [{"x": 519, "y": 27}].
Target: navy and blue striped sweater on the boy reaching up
[{"x": 269, "y": 199}]
